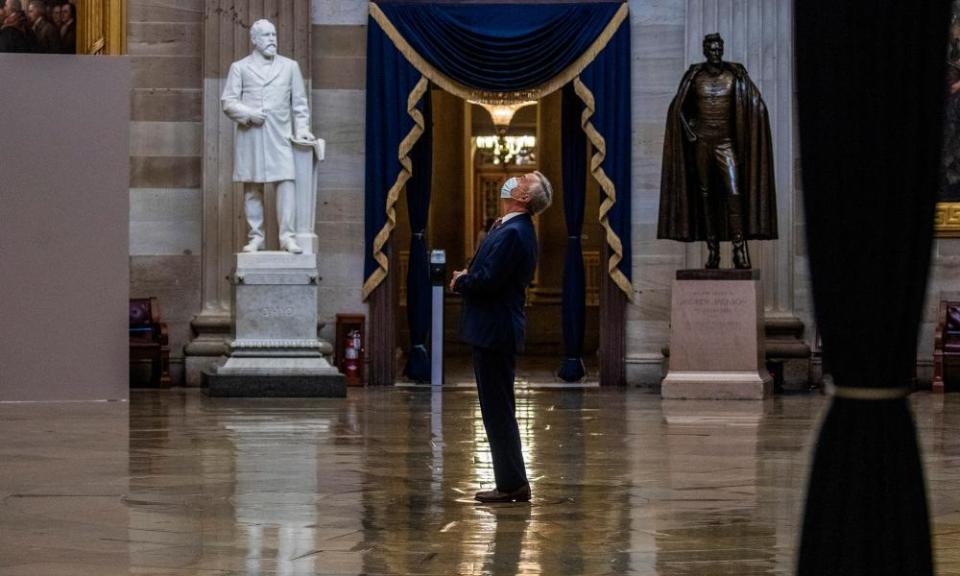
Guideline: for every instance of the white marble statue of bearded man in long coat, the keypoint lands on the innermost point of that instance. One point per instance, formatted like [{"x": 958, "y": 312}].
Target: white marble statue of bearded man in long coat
[{"x": 265, "y": 96}]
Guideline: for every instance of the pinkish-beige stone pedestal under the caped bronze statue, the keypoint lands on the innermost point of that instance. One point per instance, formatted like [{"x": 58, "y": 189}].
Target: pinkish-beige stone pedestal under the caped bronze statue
[{"x": 716, "y": 337}]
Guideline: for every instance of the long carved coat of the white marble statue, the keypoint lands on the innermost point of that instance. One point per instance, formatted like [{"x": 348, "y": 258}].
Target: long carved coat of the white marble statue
[{"x": 264, "y": 153}]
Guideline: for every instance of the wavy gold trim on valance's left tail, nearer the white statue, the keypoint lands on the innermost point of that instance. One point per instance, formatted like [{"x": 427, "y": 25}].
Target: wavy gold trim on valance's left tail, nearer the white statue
[{"x": 406, "y": 170}]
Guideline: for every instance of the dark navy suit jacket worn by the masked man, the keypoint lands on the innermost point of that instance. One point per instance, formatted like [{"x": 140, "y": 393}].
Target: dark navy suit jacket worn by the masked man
[{"x": 494, "y": 287}]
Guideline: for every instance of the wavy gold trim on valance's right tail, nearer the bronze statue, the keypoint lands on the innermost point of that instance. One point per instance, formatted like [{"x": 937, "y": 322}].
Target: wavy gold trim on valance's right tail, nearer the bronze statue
[{"x": 609, "y": 189}]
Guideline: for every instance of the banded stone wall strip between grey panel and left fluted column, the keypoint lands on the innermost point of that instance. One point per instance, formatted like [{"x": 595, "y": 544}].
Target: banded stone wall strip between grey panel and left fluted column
[{"x": 164, "y": 43}]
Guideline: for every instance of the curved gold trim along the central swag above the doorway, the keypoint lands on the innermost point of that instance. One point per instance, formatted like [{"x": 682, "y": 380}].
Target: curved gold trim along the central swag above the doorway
[{"x": 457, "y": 89}]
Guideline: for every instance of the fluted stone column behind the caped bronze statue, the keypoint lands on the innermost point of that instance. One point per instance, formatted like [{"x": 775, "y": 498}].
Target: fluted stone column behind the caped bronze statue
[{"x": 759, "y": 35}]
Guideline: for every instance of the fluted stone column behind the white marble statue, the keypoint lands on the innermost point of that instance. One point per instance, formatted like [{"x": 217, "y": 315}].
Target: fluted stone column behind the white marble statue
[{"x": 226, "y": 38}]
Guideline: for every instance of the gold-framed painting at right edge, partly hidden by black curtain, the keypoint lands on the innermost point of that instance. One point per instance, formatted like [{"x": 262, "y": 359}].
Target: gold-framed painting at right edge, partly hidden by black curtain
[{"x": 947, "y": 220}]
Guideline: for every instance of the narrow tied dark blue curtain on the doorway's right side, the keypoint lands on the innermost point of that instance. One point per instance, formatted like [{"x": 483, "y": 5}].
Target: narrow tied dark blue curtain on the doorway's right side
[{"x": 574, "y": 313}]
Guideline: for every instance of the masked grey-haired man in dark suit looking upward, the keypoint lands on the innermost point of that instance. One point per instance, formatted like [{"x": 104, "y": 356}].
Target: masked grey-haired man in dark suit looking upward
[{"x": 494, "y": 293}]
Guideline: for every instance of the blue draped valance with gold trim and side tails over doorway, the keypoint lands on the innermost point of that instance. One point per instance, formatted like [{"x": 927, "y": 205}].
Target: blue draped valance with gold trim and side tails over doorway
[{"x": 496, "y": 53}]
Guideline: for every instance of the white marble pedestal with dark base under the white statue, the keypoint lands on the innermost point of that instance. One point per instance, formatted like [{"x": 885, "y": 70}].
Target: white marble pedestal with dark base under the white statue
[{"x": 275, "y": 350}]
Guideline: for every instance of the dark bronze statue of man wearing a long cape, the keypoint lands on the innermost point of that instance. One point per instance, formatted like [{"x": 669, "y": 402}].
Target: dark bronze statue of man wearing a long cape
[{"x": 717, "y": 180}]
